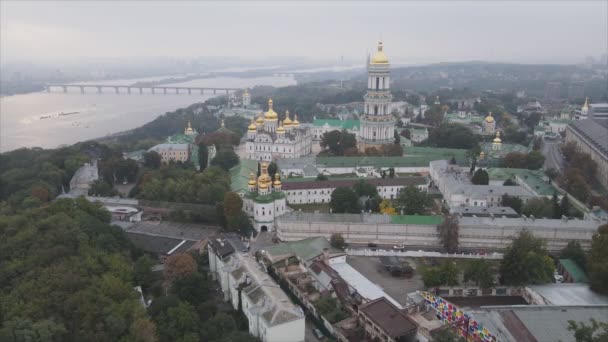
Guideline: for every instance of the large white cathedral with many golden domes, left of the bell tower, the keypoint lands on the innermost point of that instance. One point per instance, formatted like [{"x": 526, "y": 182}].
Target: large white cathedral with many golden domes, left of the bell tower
[{"x": 269, "y": 138}]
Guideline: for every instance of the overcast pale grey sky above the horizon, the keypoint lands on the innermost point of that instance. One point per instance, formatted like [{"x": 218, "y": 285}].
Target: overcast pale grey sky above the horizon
[{"x": 413, "y": 32}]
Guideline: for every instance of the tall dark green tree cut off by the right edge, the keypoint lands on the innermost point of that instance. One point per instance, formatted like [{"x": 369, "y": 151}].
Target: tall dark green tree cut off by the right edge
[{"x": 597, "y": 264}]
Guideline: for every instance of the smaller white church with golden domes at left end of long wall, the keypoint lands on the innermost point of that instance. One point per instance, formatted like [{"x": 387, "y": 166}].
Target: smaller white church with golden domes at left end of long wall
[{"x": 265, "y": 199}]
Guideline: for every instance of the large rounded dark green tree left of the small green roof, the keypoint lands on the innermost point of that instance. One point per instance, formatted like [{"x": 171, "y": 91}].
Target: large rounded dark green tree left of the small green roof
[{"x": 526, "y": 261}]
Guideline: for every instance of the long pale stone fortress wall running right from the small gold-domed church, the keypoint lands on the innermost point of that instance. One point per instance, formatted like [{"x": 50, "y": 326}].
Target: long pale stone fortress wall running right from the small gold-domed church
[{"x": 474, "y": 233}]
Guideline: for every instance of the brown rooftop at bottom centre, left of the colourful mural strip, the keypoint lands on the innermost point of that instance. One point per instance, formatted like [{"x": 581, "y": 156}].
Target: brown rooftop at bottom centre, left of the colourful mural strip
[{"x": 388, "y": 317}]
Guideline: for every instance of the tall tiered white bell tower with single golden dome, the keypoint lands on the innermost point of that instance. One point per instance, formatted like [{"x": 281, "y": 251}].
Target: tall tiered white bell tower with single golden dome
[{"x": 377, "y": 124}]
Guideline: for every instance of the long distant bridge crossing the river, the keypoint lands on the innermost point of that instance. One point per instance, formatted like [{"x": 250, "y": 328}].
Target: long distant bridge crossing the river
[{"x": 126, "y": 89}]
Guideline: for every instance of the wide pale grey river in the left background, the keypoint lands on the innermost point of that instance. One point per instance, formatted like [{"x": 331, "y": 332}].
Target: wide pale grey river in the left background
[{"x": 52, "y": 119}]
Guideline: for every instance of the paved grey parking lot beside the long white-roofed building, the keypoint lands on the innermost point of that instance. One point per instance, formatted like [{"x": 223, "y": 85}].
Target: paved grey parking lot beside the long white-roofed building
[{"x": 396, "y": 287}]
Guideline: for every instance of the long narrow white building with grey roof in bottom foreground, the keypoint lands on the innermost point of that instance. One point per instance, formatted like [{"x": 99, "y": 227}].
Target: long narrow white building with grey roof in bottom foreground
[{"x": 271, "y": 315}]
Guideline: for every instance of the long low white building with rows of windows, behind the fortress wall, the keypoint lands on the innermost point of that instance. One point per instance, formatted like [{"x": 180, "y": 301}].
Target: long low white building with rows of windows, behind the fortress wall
[{"x": 299, "y": 192}]
